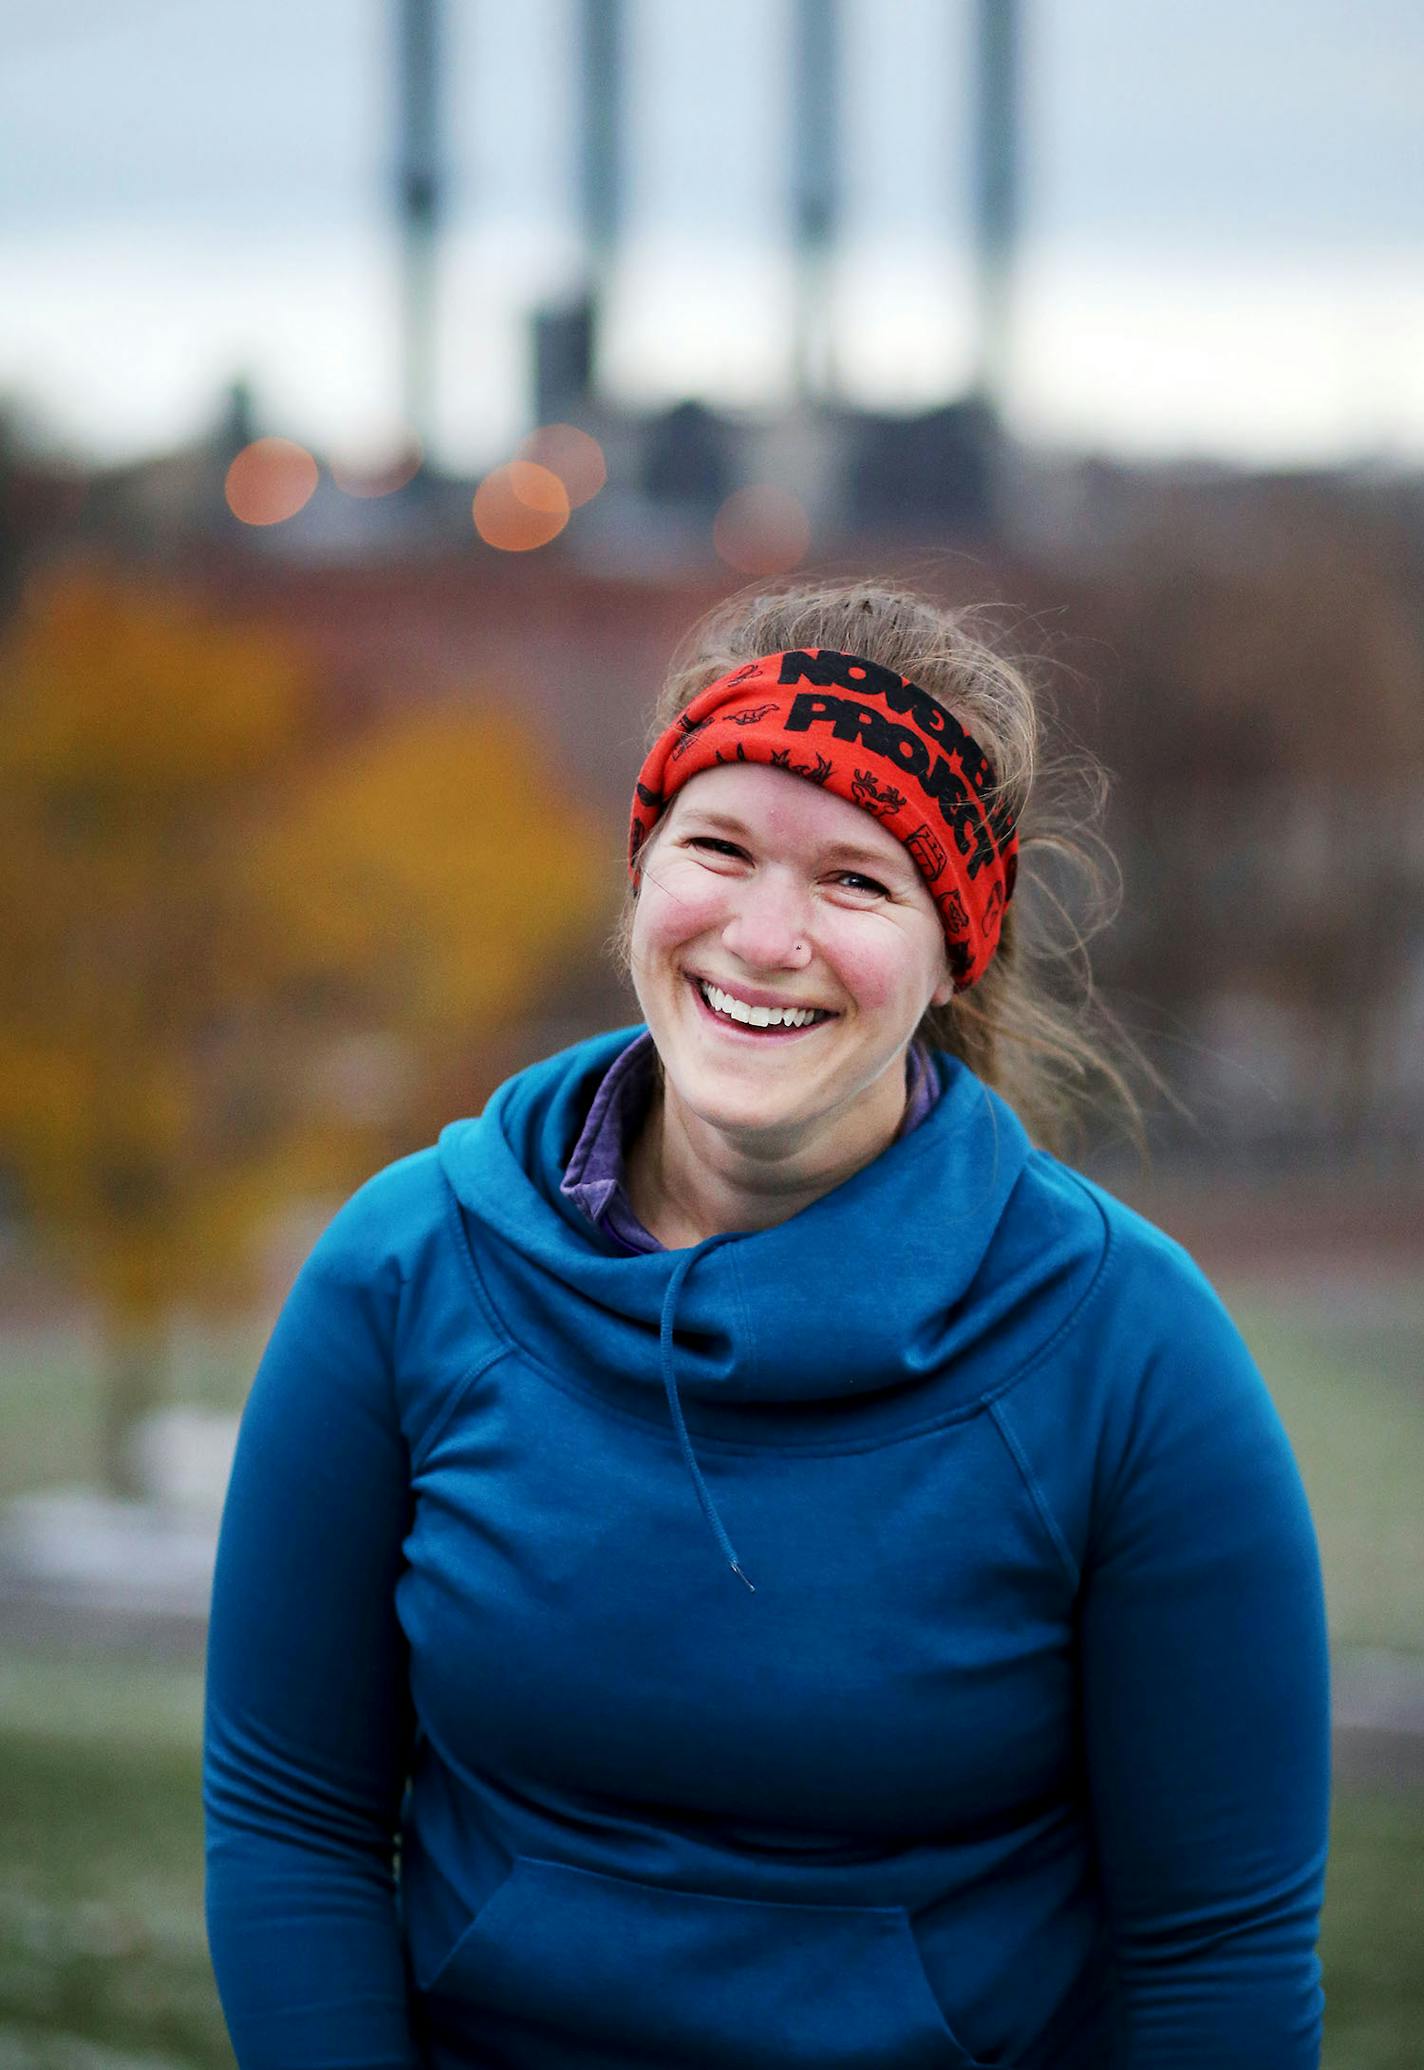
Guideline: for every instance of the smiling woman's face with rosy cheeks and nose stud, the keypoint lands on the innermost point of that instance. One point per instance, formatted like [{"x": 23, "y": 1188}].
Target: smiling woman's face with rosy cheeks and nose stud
[{"x": 763, "y": 891}]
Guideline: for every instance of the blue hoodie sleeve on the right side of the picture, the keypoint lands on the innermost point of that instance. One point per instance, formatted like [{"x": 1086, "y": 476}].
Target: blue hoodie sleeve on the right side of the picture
[{"x": 1206, "y": 1709}]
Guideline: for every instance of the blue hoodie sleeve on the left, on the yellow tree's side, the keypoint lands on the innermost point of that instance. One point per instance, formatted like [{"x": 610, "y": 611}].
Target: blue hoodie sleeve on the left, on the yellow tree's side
[{"x": 307, "y": 1690}]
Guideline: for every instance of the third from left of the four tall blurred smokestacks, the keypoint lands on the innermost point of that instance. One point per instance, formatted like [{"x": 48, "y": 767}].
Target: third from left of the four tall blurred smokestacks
[{"x": 814, "y": 185}]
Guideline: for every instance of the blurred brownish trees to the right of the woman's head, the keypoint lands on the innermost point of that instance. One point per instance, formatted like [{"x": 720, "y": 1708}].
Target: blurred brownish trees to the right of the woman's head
[{"x": 1255, "y": 659}]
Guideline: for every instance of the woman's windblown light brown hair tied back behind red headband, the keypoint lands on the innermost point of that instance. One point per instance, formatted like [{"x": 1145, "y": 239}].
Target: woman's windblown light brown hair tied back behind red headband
[{"x": 1034, "y": 1026}]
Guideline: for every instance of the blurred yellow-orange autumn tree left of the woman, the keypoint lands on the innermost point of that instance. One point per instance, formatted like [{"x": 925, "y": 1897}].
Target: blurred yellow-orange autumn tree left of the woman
[{"x": 210, "y": 914}]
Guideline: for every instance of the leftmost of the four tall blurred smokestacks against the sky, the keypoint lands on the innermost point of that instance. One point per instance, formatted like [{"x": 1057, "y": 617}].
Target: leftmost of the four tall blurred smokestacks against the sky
[{"x": 419, "y": 202}]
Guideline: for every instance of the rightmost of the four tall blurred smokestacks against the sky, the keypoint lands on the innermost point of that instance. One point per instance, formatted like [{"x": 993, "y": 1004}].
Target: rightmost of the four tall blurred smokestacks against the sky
[{"x": 997, "y": 187}]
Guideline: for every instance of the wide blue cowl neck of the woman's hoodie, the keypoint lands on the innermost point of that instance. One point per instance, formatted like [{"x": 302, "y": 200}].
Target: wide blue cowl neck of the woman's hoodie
[{"x": 862, "y": 1293}]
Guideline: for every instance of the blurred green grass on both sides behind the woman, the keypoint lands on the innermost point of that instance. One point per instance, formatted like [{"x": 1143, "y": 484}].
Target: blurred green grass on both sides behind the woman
[{"x": 102, "y": 1959}]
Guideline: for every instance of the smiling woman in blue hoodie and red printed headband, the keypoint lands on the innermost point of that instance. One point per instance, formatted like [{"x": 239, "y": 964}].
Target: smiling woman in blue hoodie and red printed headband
[{"x": 740, "y": 1556}]
